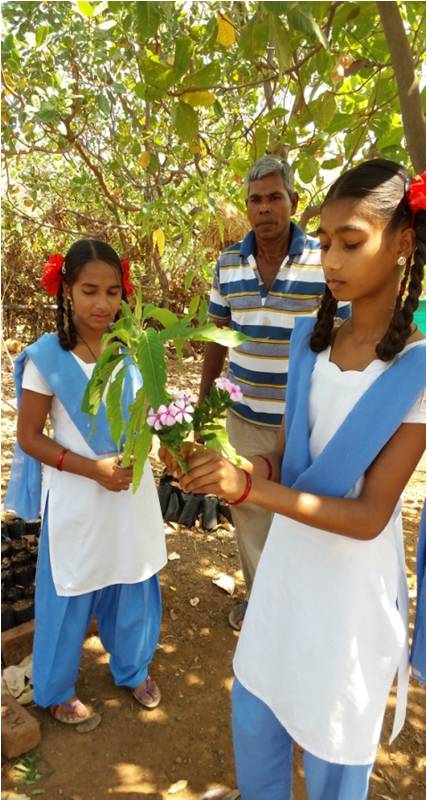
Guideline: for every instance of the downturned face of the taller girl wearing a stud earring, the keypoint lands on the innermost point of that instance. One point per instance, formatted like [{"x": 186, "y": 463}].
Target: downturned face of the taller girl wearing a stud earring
[{"x": 359, "y": 257}]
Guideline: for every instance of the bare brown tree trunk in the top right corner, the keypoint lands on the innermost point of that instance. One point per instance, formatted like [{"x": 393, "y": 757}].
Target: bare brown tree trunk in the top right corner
[{"x": 407, "y": 84}]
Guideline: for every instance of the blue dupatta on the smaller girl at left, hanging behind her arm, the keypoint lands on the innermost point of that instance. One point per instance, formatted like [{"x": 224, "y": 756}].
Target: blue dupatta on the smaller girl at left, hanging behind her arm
[{"x": 68, "y": 382}]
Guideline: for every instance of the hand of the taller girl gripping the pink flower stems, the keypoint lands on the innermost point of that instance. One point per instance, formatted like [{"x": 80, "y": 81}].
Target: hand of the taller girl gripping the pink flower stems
[{"x": 210, "y": 473}]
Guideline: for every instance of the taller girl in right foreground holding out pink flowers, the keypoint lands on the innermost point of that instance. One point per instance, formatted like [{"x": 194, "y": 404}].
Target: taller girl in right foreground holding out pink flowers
[{"x": 326, "y": 629}]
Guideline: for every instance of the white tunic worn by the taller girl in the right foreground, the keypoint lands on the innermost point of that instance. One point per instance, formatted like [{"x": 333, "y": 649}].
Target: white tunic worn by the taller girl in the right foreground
[{"x": 323, "y": 637}]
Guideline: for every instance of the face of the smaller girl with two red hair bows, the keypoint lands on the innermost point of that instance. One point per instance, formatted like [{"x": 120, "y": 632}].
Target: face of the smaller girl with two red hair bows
[{"x": 96, "y": 296}]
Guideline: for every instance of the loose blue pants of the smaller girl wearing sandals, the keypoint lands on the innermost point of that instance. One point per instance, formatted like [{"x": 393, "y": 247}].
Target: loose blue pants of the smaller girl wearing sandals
[{"x": 128, "y": 618}]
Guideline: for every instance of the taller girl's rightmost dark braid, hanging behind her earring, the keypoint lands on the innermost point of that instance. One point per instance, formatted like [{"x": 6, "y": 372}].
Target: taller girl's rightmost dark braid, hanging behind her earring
[{"x": 400, "y": 326}]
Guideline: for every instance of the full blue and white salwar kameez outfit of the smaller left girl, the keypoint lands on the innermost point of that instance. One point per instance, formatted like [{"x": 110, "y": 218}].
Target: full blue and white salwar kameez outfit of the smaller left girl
[{"x": 100, "y": 551}]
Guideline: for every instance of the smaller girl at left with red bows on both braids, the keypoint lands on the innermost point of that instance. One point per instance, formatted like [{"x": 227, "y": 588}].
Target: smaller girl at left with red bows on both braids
[{"x": 101, "y": 547}]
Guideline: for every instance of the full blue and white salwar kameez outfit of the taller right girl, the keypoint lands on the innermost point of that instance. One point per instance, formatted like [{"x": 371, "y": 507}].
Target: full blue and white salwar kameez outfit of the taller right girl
[{"x": 326, "y": 628}]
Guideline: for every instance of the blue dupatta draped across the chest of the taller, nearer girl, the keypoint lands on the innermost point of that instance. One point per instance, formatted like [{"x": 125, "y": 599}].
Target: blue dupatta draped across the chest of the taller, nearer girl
[{"x": 371, "y": 423}]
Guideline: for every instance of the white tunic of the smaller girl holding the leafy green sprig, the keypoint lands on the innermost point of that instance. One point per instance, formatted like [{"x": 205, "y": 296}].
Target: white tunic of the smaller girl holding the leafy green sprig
[{"x": 96, "y": 537}]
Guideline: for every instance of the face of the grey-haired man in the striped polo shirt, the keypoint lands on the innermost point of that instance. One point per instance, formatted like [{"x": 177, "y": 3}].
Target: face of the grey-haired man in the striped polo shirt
[{"x": 270, "y": 206}]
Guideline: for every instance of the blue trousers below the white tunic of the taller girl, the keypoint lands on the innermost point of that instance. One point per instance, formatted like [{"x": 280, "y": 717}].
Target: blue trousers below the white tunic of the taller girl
[{"x": 263, "y": 757}]
